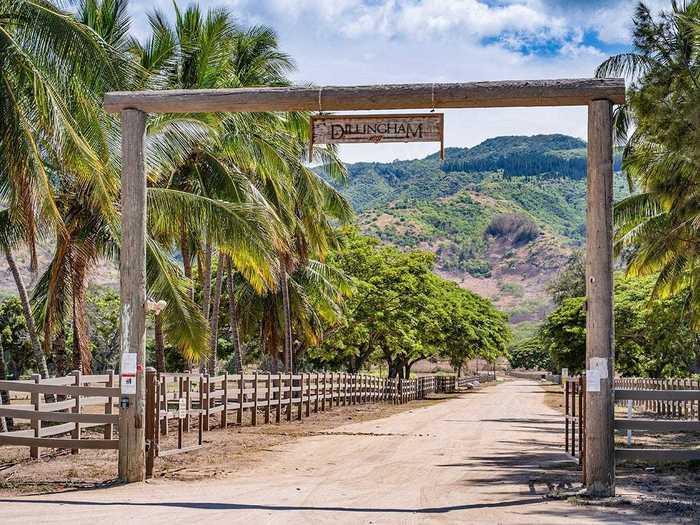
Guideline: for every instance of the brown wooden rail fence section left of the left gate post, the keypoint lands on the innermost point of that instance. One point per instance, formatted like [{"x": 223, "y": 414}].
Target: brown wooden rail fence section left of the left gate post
[{"x": 59, "y": 410}]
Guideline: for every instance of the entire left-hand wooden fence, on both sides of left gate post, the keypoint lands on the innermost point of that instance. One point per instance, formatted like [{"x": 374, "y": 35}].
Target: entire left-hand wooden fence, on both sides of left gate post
[{"x": 61, "y": 409}]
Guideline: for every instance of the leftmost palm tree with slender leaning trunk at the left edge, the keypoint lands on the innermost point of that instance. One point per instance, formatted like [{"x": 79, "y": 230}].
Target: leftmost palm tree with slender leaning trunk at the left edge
[{"x": 45, "y": 57}]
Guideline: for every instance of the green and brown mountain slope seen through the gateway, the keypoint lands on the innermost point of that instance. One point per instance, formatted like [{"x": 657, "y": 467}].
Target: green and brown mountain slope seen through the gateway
[{"x": 502, "y": 217}]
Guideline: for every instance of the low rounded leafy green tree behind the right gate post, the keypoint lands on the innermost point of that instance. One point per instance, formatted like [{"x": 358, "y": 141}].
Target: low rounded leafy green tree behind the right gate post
[{"x": 654, "y": 337}]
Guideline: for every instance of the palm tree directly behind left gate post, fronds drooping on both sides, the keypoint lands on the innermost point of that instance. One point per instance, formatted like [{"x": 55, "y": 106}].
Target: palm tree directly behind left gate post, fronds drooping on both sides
[{"x": 91, "y": 216}]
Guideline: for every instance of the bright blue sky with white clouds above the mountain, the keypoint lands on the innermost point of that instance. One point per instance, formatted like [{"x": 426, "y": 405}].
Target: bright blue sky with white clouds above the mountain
[{"x": 396, "y": 41}]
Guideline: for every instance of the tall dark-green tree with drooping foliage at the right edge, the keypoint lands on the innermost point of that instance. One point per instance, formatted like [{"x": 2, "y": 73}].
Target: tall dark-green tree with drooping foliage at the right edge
[{"x": 657, "y": 228}]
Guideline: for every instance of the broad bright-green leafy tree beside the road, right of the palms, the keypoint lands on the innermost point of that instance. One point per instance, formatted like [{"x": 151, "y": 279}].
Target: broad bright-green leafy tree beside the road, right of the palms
[{"x": 401, "y": 312}]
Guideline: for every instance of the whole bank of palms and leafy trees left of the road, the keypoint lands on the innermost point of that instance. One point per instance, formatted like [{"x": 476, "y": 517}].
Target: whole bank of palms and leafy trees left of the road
[{"x": 247, "y": 243}]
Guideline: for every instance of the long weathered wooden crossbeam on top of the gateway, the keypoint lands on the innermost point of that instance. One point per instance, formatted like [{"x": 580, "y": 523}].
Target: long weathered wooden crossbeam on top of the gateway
[{"x": 506, "y": 93}]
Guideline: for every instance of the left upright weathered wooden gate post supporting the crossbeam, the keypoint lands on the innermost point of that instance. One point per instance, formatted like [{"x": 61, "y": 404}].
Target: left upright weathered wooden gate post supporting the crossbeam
[{"x": 132, "y": 270}]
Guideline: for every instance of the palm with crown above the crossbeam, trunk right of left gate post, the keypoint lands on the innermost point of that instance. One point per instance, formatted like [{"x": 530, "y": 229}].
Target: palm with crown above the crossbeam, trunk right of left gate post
[{"x": 198, "y": 52}]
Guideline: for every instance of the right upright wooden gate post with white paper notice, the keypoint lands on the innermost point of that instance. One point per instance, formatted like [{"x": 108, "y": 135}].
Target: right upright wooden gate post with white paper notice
[{"x": 600, "y": 446}]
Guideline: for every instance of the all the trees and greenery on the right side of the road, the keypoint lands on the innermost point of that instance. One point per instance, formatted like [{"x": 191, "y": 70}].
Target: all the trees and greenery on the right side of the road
[{"x": 657, "y": 234}]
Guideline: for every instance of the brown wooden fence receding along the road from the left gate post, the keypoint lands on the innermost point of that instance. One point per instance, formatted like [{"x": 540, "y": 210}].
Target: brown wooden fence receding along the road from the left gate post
[{"x": 261, "y": 398}]
